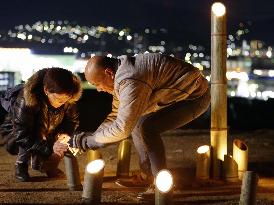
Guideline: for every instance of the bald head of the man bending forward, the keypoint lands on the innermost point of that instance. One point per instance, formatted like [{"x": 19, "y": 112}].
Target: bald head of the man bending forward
[{"x": 100, "y": 71}]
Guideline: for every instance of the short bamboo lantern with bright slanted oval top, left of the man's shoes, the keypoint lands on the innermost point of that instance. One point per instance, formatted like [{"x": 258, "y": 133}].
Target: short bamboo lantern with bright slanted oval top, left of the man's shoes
[{"x": 93, "y": 182}]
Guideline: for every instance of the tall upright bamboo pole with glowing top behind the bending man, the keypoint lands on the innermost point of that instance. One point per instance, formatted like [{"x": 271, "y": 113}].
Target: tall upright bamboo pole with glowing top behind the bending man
[{"x": 218, "y": 88}]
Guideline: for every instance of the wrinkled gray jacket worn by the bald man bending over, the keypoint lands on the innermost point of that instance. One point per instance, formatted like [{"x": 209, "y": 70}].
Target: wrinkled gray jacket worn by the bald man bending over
[{"x": 144, "y": 84}]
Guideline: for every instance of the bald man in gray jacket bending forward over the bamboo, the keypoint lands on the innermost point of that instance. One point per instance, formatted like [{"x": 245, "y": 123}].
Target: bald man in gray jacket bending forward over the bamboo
[{"x": 152, "y": 93}]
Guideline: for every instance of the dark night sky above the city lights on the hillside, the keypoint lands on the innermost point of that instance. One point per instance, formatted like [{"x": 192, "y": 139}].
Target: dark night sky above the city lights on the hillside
[{"x": 191, "y": 17}]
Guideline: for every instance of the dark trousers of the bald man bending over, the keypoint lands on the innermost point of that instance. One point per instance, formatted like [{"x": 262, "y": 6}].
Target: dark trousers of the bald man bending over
[{"x": 146, "y": 134}]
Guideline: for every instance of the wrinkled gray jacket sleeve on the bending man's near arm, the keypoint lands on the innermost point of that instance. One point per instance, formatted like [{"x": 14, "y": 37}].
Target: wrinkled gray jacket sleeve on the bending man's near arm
[{"x": 133, "y": 99}]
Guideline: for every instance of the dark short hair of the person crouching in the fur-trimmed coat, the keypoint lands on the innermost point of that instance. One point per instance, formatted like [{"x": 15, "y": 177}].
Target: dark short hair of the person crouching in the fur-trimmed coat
[{"x": 59, "y": 80}]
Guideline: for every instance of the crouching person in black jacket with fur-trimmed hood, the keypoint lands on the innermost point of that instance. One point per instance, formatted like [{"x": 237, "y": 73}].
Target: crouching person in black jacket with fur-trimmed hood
[{"x": 43, "y": 112}]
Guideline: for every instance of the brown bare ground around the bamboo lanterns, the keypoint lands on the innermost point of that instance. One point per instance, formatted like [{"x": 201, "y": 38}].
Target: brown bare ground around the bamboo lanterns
[{"x": 180, "y": 150}]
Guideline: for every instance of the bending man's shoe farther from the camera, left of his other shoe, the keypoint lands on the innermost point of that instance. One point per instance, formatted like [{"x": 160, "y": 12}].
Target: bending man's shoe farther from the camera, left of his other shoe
[{"x": 135, "y": 181}]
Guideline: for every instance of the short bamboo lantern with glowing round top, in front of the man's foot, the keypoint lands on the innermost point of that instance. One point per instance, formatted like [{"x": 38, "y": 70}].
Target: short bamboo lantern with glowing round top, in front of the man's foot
[{"x": 164, "y": 188}]
